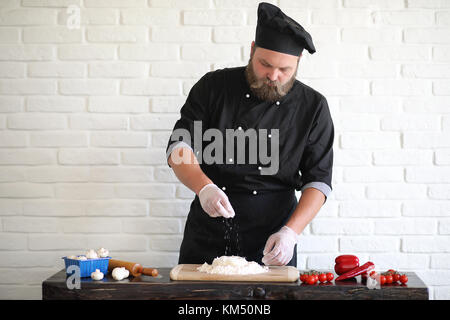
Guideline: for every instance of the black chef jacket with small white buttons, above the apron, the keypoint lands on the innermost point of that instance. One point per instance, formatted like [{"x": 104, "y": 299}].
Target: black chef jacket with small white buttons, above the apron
[{"x": 222, "y": 99}]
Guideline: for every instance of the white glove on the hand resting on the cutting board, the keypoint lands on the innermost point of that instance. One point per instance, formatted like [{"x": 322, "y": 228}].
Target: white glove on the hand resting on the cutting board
[{"x": 279, "y": 247}]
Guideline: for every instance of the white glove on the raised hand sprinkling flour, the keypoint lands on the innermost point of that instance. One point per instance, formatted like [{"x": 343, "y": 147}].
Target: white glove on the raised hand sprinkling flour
[{"x": 215, "y": 202}]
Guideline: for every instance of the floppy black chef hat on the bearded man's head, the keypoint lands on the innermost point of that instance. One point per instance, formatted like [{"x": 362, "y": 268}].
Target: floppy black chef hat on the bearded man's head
[{"x": 278, "y": 32}]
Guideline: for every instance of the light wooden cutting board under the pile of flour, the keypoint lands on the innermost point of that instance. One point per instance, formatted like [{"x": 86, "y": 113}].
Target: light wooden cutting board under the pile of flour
[{"x": 275, "y": 274}]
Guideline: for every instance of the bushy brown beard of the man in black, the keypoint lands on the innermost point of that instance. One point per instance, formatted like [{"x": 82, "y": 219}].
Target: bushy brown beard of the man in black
[{"x": 262, "y": 90}]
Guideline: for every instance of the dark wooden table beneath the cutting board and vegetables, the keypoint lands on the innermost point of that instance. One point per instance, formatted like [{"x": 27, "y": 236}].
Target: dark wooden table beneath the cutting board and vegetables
[{"x": 163, "y": 288}]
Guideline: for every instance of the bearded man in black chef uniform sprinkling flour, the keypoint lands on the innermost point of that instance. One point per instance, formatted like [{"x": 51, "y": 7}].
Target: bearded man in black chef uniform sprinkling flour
[{"x": 249, "y": 208}]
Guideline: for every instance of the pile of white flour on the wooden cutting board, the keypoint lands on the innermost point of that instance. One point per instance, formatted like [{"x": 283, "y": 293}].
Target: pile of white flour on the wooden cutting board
[{"x": 232, "y": 265}]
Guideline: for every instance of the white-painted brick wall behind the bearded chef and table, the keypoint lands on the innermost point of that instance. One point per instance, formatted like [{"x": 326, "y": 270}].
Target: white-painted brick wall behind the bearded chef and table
[{"x": 85, "y": 115}]
